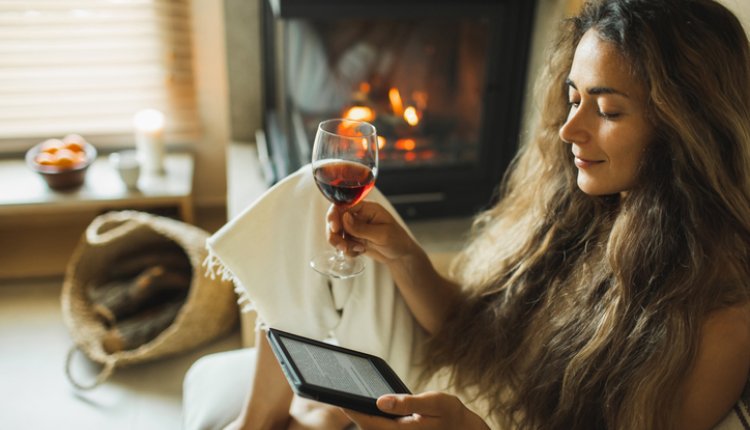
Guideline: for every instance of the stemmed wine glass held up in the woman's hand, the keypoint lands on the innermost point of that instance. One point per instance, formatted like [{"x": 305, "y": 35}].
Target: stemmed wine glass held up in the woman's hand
[{"x": 345, "y": 165}]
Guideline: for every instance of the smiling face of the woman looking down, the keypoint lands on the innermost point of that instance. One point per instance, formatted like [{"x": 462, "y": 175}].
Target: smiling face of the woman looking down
[{"x": 606, "y": 126}]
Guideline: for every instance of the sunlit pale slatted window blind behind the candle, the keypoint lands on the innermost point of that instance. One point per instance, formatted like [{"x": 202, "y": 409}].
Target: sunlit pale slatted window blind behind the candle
[{"x": 87, "y": 66}]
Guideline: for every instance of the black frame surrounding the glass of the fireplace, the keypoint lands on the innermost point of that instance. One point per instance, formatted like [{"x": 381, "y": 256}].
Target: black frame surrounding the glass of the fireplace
[{"x": 420, "y": 192}]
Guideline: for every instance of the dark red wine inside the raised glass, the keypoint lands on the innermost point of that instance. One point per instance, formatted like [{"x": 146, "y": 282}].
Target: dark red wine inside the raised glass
[{"x": 344, "y": 183}]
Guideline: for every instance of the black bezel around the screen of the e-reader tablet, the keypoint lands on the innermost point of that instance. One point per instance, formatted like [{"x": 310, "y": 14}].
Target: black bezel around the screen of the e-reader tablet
[{"x": 343, "y": 399}]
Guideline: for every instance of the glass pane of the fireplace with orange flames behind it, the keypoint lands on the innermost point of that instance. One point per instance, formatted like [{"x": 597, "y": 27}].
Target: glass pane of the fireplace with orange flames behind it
[{"x": 419, "y": 82}]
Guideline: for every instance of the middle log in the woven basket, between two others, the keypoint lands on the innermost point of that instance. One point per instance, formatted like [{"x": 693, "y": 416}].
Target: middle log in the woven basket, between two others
[{"x": 153, "y": 286}]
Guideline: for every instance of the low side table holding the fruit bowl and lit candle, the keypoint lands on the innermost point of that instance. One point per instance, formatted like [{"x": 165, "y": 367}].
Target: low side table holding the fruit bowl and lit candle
[{"x": 23, "y": 191}]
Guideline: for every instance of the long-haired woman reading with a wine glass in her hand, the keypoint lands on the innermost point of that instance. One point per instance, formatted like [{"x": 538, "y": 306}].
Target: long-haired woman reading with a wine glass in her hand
[{"x": 608, "y": 287}]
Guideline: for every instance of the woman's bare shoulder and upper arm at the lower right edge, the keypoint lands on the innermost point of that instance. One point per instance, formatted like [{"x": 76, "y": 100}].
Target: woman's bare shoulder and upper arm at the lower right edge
[{"x": 720, "y": 371}]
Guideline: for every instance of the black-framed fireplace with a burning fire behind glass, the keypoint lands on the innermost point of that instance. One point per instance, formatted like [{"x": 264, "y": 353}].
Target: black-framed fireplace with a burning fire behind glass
[{"x": 441, "y": 80}]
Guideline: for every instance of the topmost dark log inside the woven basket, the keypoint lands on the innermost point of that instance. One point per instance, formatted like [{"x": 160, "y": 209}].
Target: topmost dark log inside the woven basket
[{"x": 134, "y": 263}]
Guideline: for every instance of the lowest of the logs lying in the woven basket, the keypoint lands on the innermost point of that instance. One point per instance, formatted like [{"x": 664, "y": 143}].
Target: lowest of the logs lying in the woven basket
[{"x": 140, "y": 328}]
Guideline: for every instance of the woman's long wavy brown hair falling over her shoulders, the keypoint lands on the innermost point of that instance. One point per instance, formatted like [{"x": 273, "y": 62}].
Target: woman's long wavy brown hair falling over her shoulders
[{"x": 583, "y": 311}]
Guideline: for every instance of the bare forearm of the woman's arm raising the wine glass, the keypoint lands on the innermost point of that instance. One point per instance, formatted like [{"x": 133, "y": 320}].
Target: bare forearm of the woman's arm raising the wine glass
[{"x": 430, "y": 297}]
